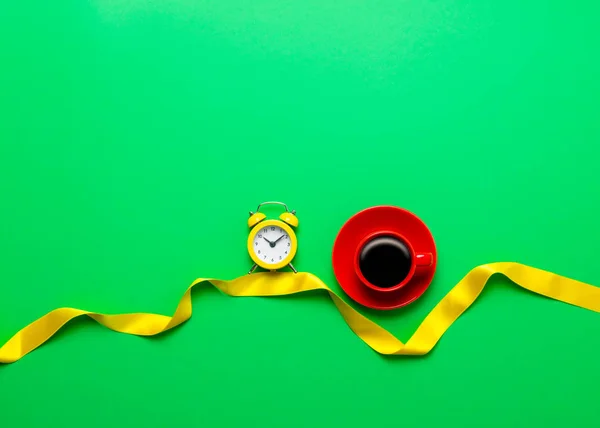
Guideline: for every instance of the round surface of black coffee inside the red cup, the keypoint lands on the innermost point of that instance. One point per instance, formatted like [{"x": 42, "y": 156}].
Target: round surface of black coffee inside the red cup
[{"x": 385, "y": 261}]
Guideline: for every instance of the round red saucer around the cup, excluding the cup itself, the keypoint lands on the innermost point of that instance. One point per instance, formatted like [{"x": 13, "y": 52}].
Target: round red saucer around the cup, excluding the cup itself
[{"x": 367, "y": 222}]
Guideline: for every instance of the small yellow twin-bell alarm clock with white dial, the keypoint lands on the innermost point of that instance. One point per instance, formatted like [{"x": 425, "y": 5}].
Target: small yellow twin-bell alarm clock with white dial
[{"x": 272, "y": 244}]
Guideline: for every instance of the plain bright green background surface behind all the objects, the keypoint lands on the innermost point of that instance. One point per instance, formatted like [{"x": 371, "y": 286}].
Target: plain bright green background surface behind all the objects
[{"x": 135, "y": 136}]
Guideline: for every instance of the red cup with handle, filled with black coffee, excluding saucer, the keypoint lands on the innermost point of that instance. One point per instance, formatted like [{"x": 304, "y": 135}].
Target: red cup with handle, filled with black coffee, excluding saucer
[{"x": 386, "y": 261}]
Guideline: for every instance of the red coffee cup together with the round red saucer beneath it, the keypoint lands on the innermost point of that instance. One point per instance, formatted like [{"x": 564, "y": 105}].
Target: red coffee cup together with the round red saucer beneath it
[{"x": 384, "y": 257}]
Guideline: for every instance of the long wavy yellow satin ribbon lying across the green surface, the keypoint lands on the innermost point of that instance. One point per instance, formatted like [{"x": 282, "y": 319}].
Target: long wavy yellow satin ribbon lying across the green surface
[{"x": 277, "y": 284}]
